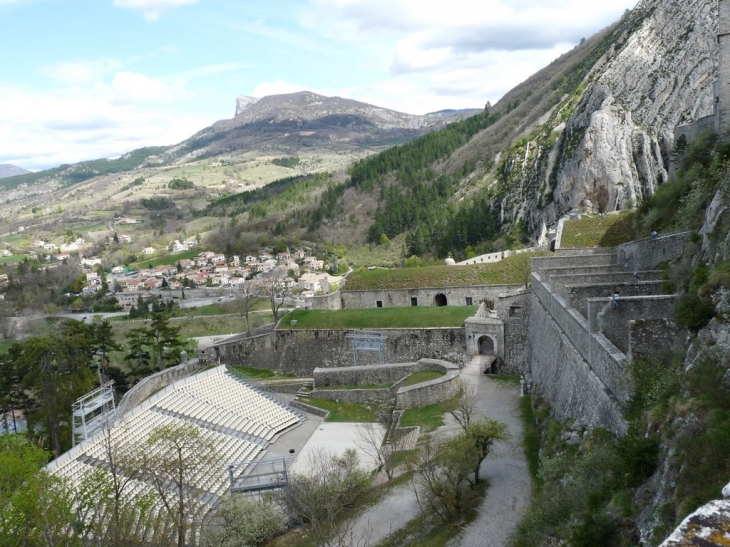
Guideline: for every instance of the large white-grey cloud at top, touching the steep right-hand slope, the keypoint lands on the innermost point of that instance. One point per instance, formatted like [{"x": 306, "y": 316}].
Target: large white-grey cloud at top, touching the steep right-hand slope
[{"x": 432, "y": 35}]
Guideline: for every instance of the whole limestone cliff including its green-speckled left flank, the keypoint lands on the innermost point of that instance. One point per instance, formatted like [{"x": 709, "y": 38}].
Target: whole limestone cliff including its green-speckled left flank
[{"x": 605, "y": 144}]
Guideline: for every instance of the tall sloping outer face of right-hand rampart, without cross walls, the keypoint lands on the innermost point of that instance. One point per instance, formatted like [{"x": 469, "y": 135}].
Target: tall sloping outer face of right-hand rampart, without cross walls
[{"x": 564, "y": 377}]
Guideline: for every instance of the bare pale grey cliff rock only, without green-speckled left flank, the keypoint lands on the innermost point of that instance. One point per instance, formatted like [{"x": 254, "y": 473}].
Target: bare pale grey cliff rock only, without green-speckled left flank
[{"x": 658, "y": 77}]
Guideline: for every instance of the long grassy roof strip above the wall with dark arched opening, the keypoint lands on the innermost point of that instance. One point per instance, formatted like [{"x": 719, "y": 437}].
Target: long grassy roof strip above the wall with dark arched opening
[{"x": 512, "y": 270}]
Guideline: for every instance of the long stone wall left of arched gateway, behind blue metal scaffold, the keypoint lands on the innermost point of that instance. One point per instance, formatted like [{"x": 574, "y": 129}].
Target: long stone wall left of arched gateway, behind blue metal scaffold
[{"x": 300, "y": 351}]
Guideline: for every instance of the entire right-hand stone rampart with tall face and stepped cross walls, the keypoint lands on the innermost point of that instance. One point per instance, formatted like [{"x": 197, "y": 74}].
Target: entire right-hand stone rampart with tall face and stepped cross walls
[{"x": 579, "y": 337}]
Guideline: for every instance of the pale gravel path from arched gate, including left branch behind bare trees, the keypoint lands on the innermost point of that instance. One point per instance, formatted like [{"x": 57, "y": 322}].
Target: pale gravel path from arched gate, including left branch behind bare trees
[{"x": 505, "y": 469}]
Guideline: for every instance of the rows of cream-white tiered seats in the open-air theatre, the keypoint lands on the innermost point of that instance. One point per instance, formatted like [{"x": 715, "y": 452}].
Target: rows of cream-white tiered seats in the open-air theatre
[{"x": 237, "y": 418}]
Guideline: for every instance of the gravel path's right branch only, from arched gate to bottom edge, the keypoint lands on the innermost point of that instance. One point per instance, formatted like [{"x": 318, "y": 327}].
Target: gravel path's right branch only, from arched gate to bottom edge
[{"x": 505, "y": 468}]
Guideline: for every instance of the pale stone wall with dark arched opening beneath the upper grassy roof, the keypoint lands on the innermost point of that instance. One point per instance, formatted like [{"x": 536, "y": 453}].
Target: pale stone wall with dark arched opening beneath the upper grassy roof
[{"x": 456, "y": 296}]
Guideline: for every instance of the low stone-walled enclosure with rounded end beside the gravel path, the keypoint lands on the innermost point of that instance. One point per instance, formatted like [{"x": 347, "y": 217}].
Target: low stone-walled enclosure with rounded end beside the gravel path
[{"x": 415, "y": 396}]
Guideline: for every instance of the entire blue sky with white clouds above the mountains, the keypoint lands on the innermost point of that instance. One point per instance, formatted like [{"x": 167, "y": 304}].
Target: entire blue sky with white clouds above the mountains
[{"x": 87, "y": 79}]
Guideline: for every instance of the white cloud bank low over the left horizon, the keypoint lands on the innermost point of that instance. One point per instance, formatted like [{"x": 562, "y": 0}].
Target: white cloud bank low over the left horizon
[{"x": 44, "y": 129}]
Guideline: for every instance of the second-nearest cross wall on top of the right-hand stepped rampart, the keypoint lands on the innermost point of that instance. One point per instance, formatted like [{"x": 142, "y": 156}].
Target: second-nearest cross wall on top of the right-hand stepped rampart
[{"x": 613, "y": 322}]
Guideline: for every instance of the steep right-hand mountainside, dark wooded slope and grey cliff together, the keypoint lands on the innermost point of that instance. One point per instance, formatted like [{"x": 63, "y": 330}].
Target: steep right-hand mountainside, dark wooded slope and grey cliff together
[{"x": 502, "y": 177}]
